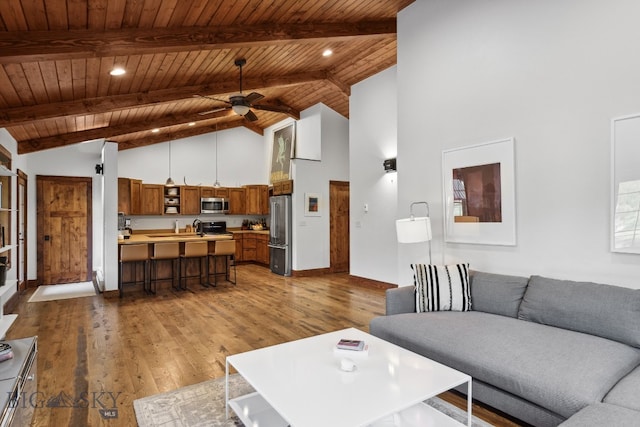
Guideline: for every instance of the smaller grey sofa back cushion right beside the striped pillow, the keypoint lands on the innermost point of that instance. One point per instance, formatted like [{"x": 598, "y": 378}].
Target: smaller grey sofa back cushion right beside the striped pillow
[{"x": 497, "y": 293}]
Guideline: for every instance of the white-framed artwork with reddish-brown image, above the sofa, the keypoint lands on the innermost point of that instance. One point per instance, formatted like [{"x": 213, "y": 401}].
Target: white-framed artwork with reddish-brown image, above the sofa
[{"x": 479, "y": 193}]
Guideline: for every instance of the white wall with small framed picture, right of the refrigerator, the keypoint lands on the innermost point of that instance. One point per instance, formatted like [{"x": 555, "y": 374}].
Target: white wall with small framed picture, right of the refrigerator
[{"x": 319, "y": 126}]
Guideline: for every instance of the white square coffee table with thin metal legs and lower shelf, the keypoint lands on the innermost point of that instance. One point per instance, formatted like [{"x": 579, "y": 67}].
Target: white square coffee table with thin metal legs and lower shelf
[{"x": 300, "y": 384}]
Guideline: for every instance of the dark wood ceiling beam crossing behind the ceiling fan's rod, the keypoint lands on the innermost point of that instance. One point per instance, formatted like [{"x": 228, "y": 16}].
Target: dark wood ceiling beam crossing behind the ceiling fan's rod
[{"x": 21, "y": 115}]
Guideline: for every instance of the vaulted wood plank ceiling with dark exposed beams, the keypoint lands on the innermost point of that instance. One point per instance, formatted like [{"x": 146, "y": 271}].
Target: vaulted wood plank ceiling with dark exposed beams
[{"x": 56, "y": 55}]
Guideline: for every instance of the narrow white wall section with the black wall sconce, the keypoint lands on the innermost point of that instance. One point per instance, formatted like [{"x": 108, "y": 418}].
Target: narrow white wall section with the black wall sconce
[{"x": 372, "y": 139}]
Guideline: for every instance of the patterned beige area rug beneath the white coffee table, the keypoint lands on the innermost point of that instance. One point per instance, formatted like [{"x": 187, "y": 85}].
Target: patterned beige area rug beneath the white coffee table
[{"x": 202, "y": 405}]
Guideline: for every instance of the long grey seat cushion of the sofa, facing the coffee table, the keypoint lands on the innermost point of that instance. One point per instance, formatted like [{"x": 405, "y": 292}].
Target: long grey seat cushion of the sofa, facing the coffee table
[{"x": 557, "y": 369}]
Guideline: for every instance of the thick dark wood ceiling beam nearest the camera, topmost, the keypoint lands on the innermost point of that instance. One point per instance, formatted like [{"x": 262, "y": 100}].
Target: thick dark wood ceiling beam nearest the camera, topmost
[{"x": 28, "y": 46}]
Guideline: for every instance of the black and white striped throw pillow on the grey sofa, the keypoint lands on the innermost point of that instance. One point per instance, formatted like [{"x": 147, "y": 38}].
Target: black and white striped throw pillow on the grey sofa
[{"x": 442, "y": 287}]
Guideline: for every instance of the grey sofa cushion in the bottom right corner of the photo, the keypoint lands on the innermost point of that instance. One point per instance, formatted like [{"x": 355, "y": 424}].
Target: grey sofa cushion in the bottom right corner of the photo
[{"x": 603, "y": 414}]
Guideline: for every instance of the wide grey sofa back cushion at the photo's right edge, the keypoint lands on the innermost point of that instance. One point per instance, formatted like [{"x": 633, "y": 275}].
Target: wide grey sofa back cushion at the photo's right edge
[{"x": 606, "y": 311}]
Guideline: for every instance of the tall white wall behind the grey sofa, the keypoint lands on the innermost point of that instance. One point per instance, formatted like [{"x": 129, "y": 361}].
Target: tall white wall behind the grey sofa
[{"x": 550, "y": 73}]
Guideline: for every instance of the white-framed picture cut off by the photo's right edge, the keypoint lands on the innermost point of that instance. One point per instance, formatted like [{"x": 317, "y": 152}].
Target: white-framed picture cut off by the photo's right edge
[{"x": 625, "y": 184}]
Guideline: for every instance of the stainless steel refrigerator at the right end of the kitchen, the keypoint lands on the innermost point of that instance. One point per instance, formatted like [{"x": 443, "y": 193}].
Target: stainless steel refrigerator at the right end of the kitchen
[{"x": 280, "y": 235}]
